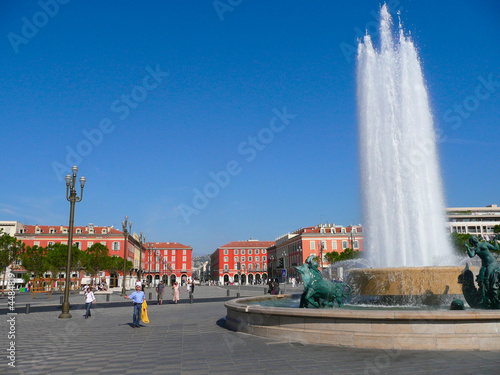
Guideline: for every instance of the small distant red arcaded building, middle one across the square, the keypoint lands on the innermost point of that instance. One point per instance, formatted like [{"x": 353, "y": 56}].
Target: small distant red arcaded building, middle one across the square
[{"x": 252, "y": 257}]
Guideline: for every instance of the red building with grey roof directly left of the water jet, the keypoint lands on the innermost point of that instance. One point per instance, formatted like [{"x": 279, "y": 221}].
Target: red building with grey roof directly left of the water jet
[{"x": 292, "y": 249}]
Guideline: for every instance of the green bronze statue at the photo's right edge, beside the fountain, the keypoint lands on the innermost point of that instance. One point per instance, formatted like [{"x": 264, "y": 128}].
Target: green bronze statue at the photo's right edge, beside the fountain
[{"x": 487, "y": 296}]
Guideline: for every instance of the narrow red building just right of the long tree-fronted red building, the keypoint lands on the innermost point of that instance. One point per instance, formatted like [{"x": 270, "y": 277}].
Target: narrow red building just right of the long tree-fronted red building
[{"x": 167, "y": 261}]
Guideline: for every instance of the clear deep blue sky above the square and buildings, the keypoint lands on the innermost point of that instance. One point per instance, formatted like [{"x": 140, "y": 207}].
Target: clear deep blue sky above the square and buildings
[{"x": 251, "y": 104}]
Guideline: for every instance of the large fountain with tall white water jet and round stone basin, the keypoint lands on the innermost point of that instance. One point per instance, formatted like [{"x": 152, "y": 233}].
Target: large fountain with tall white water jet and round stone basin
[{"x": 405, "y": 236}]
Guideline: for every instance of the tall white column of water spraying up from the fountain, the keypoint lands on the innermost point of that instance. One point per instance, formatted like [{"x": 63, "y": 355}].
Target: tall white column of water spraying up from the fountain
[{"x": 402, "y": 192}]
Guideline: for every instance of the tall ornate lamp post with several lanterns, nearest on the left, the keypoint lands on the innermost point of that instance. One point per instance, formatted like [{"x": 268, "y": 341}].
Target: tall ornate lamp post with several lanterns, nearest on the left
[{"x": 72, "y": 198}]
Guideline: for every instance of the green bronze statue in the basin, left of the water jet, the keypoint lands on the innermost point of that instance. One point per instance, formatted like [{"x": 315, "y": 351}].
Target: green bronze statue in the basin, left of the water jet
[{"x": 319, "y": 292}]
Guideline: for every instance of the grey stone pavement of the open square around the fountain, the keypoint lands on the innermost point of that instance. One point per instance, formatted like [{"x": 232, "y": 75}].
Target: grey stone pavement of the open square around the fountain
[{"x": 192, "y": 339}]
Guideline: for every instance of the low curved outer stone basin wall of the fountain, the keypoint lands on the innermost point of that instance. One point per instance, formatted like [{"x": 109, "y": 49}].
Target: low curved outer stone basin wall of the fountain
[{"x": 372, "y": 329}]
